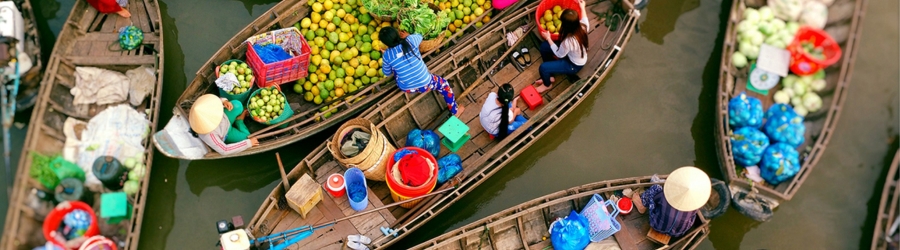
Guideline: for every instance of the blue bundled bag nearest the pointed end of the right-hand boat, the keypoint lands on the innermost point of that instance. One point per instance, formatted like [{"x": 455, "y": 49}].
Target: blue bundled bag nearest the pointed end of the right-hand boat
[{"x": 780, "y": 163}]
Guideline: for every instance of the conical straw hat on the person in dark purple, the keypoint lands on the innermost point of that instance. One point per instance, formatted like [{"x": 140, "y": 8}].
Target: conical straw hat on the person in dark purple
[{"x": 687, "y": 188}]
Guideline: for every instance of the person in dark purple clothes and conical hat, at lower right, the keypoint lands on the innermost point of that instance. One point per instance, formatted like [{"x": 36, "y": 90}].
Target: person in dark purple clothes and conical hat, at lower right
[{"x": 673, "y": 208}]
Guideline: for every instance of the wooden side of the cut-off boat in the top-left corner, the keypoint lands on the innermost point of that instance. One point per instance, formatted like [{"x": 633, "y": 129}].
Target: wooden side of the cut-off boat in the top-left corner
[{"x": 31, "y": 45}]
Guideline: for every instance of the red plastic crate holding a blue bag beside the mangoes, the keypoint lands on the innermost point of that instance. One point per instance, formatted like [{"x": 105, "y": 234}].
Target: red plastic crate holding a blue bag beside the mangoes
[{"x": 284, "y": 71}]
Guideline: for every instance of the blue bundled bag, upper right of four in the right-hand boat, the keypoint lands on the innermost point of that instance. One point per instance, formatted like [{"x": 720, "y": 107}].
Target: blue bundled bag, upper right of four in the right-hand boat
[{"x": 784, "y": 125}]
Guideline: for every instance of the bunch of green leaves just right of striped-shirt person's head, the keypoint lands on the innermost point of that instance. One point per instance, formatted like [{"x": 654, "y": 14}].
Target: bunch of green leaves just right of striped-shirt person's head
[{"x": 422, "y": 20}]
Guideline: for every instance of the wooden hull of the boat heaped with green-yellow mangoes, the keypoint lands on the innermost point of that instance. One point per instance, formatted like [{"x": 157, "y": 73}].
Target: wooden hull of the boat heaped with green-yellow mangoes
[{"x": 307, "y": 119}]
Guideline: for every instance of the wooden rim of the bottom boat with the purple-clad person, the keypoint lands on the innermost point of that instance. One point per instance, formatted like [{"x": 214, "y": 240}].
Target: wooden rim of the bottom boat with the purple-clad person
[{"x": 571, "y": 194}]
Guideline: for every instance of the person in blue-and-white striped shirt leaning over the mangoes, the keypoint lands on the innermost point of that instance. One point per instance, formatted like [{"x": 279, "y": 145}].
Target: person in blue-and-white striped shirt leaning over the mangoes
[{"x": 403, "y": 61}]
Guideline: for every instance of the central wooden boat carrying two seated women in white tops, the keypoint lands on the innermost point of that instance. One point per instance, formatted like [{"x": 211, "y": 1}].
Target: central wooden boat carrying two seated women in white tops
[{"x": 468, "y": 70}]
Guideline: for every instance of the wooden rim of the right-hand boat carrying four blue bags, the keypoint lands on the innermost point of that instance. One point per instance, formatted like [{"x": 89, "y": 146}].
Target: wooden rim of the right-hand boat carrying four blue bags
[{"x": 727, "y": 81}]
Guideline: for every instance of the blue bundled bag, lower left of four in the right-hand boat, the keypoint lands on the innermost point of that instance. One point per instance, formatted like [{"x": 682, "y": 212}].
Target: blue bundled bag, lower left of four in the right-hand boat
[{"x": 748, "y": 145}]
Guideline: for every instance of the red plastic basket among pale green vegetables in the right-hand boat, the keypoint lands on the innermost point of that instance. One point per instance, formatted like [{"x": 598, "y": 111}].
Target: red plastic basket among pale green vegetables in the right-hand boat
[{"x": 804, "y": 64}]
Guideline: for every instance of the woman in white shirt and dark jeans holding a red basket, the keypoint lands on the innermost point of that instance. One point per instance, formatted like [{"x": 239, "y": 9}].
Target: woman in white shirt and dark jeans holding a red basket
[{"x": 571, "y": 55}]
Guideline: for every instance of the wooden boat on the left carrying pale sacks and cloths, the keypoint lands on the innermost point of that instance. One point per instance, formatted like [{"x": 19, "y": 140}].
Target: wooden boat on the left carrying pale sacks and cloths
[{"x": 85, "y": 41}]
